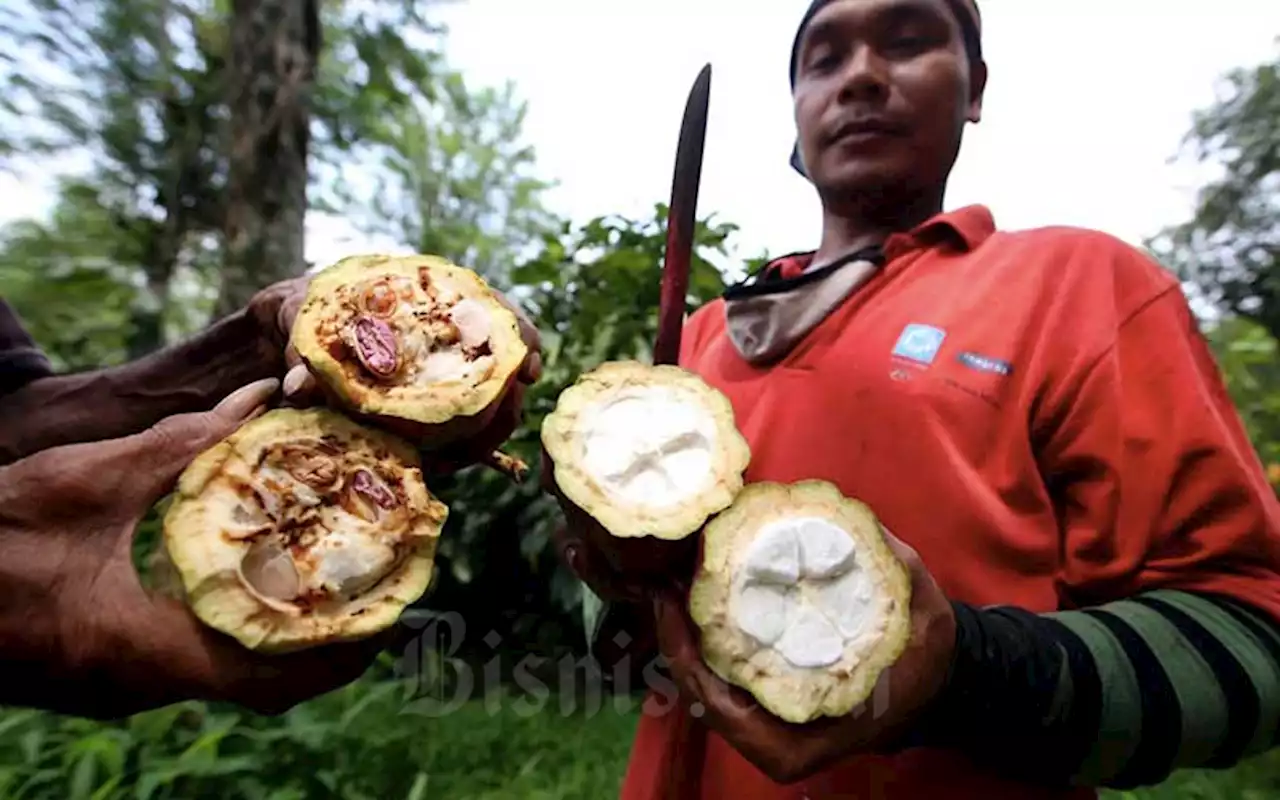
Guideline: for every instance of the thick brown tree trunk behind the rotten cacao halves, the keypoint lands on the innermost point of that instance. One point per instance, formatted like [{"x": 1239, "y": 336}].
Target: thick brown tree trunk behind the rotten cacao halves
[{"x": 275, "y": 47}]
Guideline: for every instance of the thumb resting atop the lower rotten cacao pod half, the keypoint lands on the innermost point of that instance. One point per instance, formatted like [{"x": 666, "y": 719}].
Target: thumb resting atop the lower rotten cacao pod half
[{"x": 167, "y": 449}]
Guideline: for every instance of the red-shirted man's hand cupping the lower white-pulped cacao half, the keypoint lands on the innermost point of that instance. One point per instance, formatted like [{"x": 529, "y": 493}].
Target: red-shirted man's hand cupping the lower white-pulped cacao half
[{"x": 788, "y": 753}]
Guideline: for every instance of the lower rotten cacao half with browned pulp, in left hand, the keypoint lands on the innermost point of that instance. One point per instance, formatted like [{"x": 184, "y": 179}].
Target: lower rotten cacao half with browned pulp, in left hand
[{"x": 303, "y": 528}]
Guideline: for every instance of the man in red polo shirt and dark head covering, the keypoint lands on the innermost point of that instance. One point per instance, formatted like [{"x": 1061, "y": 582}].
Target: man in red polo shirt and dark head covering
[{"x": 1040, "y": 424}]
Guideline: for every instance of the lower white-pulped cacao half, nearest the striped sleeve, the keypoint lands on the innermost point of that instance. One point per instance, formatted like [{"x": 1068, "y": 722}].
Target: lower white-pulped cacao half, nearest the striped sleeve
[{"x": 799, "y": 600}]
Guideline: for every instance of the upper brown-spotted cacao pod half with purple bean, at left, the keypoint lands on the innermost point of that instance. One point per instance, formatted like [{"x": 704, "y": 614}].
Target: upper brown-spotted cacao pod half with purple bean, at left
[{"x": 414, "y": 345}]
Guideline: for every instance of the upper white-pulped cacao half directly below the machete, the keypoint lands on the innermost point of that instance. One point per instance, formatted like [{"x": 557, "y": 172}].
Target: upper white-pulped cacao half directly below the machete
[{"x": 642, "y": 456}]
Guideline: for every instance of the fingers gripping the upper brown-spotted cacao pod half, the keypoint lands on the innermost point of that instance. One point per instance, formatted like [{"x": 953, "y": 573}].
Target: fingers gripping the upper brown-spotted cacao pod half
[{"x": 301, "y": 387}]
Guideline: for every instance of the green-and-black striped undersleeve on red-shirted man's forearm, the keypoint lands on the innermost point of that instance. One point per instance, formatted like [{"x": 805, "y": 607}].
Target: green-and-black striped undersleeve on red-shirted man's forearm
[{"x": 1117, "y": 697}]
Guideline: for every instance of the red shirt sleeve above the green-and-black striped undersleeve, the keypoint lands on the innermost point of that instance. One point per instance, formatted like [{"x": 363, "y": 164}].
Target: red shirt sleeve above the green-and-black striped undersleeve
[{"x": 1156, "y": 481}]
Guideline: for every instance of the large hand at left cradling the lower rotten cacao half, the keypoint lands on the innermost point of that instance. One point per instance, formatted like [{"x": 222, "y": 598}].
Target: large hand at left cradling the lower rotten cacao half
[{"x": 77, "y": 625}]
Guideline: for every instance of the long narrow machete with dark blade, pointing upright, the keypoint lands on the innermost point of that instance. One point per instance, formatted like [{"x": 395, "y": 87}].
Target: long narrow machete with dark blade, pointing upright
[{"x": 682, "y": 220}]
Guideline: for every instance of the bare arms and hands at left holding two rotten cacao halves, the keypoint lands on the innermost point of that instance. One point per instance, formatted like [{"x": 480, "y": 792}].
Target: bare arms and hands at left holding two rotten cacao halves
[{"x": 85, "y": 458}]
